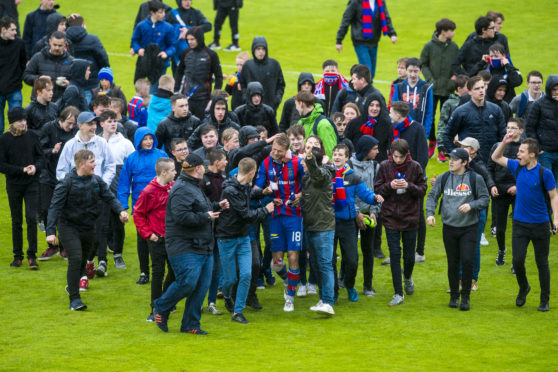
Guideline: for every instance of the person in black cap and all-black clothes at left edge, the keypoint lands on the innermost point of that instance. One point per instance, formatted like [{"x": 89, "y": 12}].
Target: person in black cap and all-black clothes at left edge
[{"x": 21, "y": 161}]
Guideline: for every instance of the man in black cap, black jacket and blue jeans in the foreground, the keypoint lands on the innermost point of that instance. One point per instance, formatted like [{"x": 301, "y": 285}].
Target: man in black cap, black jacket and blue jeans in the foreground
[{"x": 189, "y": 244}]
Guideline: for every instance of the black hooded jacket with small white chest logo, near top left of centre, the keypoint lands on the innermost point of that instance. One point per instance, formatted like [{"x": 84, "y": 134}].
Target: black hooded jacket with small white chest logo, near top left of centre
[{"x": 197, "y": 68}]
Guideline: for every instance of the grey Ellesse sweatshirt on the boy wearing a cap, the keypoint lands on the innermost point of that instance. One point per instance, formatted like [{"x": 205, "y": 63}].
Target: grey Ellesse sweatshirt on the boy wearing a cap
[{"x": 458, "y": 191}]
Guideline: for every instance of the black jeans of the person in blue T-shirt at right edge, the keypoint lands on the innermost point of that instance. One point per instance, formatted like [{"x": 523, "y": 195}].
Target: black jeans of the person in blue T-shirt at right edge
[{"x": 539, "y": 235}]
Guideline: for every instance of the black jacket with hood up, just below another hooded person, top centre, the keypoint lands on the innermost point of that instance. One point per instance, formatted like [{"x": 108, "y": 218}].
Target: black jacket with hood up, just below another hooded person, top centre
[{"x": 262, "y": 114}]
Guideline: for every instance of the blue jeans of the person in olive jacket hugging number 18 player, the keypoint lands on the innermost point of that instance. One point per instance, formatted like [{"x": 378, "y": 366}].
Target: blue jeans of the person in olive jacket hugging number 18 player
[{"x": 320, "y": 245}]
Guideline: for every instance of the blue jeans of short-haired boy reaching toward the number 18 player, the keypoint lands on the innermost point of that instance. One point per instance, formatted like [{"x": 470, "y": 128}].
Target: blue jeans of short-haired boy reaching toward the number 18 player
[{"x": 235, "y": 252}]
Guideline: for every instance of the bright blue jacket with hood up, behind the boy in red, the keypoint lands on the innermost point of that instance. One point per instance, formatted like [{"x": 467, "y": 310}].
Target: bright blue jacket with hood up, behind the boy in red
[{"x": 138, "y": 169}]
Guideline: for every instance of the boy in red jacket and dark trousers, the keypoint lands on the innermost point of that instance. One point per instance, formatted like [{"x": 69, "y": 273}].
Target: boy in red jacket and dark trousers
[{"x": 149, "y": 217}]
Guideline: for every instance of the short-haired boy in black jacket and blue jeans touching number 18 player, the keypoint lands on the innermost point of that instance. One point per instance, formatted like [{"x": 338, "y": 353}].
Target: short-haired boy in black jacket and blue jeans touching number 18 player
[{"x": 233, "y": 236}]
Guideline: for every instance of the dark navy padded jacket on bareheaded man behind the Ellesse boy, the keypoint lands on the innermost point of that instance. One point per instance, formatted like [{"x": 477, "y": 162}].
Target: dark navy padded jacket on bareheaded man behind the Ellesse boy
[{"x": 485, "y": 123}]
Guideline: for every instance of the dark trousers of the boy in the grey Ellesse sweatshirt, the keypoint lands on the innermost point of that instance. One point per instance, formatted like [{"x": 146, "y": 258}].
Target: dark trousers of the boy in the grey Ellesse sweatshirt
[{"x": 460, "y": 243}]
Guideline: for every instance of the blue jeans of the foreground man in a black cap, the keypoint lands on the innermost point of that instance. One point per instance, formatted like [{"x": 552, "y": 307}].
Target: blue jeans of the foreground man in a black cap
[{"x": 192, "y": 277}]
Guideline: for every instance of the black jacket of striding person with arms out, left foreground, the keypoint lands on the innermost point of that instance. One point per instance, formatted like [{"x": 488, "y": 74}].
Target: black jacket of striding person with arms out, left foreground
[{"x": 76, "y": 202}]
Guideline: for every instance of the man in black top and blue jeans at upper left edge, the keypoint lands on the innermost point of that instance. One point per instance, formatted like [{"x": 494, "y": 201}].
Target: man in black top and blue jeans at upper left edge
[{"x": 13, "y": 60}]
